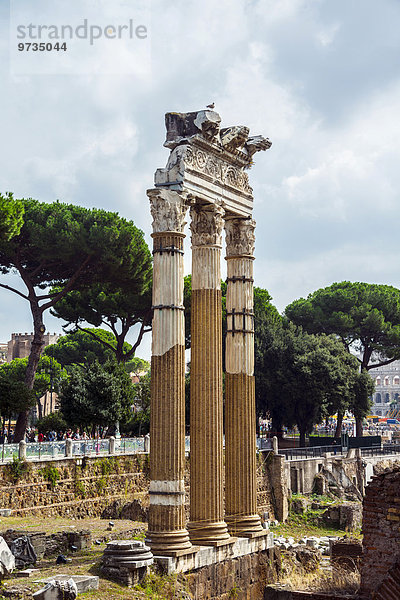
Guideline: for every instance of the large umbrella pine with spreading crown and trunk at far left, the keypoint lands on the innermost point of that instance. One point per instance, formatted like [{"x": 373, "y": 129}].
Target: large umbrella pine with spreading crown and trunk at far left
[{"x": 69, "y": 247}]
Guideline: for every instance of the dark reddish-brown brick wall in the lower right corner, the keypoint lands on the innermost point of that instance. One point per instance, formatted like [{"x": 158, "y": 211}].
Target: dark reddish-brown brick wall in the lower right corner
[{"x": 381, "y": 528}]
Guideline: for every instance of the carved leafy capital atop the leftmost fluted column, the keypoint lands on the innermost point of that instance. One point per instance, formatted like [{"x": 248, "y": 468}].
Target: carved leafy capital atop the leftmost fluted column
[{"x": 168, "y": 210}]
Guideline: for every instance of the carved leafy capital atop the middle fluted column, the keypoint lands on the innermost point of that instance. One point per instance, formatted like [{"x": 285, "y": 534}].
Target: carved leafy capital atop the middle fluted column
[{"x": 206, "y": 225}]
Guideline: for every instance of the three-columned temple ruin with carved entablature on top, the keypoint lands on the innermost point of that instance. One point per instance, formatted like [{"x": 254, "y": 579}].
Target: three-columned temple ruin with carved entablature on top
[{"x": 205, "y": 173}]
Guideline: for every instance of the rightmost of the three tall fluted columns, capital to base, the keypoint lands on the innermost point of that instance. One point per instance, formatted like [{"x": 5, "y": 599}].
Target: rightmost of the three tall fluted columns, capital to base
[{"x": 240, "y": 410}]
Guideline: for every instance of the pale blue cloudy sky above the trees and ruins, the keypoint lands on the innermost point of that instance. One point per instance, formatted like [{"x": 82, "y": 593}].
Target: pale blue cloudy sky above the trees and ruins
[{"x": 320, "y": 78}]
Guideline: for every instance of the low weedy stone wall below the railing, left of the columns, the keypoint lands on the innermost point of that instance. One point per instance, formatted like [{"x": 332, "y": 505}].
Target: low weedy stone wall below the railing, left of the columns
[{"x": 73, "y": 487}]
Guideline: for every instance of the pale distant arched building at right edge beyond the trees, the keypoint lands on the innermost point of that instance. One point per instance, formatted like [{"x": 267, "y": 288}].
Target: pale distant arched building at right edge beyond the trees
[{"x": 387, "y": 388}]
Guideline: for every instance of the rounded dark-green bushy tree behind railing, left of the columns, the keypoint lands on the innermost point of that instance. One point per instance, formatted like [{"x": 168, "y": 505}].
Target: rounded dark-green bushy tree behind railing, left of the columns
[{"x": 101, "y": 395}]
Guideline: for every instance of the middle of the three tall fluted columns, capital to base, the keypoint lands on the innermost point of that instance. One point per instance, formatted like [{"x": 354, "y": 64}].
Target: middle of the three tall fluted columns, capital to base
[{"x": 207, "y": 524}]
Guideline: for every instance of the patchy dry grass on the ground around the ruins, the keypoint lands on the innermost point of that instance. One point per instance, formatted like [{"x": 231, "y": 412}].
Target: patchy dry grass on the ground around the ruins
[{"x": 157, "y": 587}]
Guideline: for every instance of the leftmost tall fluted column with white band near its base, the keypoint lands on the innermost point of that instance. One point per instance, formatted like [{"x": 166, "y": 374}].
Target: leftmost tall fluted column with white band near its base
[{"x": 167, "y": 533}]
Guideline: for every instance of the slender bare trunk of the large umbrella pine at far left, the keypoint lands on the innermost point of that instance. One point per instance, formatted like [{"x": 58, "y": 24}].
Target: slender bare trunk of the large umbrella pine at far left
[{"x": 33, "y": 361}]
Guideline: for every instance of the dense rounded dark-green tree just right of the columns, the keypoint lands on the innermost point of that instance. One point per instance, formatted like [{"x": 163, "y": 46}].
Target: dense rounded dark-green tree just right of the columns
[{"x": 303, "y": 378}]
